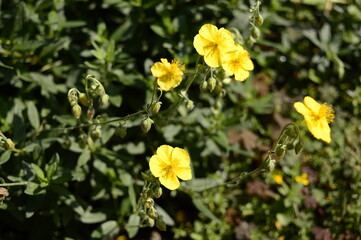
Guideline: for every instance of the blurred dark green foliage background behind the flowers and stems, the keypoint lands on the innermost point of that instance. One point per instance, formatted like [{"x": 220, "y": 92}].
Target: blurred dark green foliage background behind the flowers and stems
[{"x": 88, "y": 192}]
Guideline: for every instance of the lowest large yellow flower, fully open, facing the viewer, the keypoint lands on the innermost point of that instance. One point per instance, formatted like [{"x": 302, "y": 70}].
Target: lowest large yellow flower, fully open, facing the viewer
[{"x": 169, "y": 164}]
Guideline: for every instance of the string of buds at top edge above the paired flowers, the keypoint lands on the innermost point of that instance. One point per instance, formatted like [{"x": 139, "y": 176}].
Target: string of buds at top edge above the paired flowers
[{"x": 256, "y": 20}]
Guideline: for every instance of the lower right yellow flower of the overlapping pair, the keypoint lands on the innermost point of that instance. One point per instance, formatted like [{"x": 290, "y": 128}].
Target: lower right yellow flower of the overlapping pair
[{"x": 237, "y": 62}]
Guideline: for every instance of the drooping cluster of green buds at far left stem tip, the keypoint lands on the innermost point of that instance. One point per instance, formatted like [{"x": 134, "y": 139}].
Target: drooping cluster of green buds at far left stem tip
[{"x": 93, "y": 90}]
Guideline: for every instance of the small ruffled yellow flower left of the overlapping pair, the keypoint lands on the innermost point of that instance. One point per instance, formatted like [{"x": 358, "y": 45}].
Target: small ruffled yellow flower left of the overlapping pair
[{"x": 169, "y": 74}]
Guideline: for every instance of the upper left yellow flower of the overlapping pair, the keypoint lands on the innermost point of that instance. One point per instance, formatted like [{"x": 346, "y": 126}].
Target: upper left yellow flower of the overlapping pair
[{"x": 212, "y": 43}]
